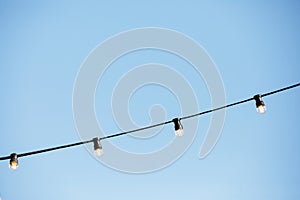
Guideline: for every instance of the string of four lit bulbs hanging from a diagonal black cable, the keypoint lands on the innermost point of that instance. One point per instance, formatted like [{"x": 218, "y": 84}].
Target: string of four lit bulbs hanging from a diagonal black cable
[{"x": 260, "y": 106}]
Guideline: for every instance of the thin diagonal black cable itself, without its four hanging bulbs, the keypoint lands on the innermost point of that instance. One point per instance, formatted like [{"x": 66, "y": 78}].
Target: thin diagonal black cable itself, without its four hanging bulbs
[{"x": 148, "y": 127}]
